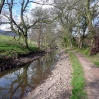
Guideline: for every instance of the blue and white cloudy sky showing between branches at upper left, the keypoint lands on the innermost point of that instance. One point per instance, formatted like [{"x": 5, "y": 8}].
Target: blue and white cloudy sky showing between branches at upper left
[{"x": 17, "y": 11}]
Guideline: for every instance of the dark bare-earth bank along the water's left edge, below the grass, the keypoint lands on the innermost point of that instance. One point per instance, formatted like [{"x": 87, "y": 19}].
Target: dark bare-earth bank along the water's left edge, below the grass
[{"x": 6, "y": 64}]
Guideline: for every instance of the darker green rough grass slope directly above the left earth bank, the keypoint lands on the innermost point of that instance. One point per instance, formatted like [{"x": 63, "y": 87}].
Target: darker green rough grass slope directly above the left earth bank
[{"x": 12, "y": 50}]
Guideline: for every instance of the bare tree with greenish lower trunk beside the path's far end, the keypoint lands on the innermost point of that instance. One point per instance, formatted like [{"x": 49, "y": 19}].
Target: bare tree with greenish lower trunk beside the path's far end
[{"x": 66, "y": 19}]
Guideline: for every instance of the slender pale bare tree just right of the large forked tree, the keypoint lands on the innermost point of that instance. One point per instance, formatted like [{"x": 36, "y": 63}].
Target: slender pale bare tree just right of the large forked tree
[{"x": 43, "y": 17}]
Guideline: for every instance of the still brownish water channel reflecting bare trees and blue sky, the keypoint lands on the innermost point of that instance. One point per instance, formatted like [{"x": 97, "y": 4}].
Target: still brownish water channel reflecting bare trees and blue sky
[{"x": 16, "y": 83}]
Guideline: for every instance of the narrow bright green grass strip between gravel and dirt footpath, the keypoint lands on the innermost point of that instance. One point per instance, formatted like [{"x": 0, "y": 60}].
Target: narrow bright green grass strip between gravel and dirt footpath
[{"x": 78, "y": 81}]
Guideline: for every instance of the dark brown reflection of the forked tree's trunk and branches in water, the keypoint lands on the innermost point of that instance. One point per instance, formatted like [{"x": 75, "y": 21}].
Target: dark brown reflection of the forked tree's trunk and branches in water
[{"x": 22, "y": 82}]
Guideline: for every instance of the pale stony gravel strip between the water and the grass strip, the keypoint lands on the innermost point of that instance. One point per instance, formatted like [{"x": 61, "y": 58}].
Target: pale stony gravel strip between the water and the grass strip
[{"x": 57, "y": 85}]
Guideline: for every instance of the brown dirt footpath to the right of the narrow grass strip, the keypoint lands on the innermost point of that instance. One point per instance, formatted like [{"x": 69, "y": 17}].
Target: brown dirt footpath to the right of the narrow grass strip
[{"x": 91, "y": 76}]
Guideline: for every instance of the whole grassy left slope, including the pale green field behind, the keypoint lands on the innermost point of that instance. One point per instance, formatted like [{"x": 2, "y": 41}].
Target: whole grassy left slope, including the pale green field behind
[{"x": 10, "y": 48}]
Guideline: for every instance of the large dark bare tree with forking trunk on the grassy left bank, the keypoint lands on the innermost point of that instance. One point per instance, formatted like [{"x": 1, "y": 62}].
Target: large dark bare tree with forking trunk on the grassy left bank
[{"x": 21, "y": 27}]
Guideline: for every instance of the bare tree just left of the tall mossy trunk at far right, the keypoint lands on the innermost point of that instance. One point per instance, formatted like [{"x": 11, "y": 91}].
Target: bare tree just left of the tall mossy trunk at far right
[{"x": 81, "y": 25}]
